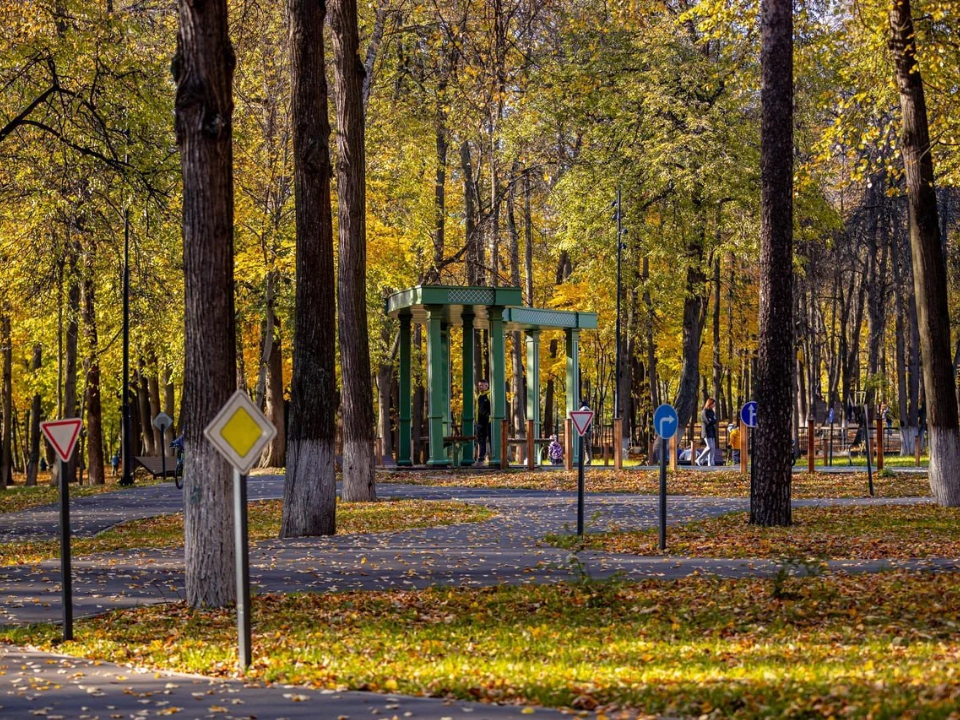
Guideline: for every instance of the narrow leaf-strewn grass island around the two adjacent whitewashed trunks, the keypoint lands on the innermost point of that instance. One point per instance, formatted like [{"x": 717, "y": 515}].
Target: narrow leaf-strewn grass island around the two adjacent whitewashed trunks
[{"x": 264, "y": 523}]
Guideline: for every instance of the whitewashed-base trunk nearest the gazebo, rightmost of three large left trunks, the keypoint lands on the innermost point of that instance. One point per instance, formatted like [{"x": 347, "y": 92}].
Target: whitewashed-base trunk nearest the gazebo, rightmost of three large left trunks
[{"x": 358, "y": 422}]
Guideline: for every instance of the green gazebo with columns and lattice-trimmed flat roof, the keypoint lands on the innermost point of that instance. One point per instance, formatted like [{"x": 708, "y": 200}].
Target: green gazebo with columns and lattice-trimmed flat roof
[{"x": 497, "y": 310}]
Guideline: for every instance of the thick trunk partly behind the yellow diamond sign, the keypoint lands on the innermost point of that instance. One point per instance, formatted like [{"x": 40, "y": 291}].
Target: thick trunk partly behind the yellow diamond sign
[{"x": 203, "y": 70}]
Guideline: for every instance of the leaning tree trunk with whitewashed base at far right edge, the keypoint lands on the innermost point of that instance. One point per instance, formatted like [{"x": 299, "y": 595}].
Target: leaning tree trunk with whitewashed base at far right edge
[{"x": 929, "y": 270}]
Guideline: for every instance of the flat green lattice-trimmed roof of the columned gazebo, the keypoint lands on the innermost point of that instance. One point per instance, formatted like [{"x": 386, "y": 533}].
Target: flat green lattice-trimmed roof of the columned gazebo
[{"x": 454, "y": 301}]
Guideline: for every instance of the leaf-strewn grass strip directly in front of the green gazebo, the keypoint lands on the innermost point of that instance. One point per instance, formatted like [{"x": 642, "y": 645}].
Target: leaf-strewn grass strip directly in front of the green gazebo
[{"x": 719, "y": 483}]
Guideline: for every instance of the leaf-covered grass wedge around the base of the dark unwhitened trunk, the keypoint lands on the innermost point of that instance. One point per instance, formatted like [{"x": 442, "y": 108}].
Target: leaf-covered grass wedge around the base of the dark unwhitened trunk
[{"x": 859, "y": 533}]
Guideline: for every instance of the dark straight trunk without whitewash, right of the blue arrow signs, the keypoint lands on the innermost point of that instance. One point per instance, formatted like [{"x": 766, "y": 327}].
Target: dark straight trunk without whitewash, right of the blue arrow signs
[{"x": 770, "y": 496}]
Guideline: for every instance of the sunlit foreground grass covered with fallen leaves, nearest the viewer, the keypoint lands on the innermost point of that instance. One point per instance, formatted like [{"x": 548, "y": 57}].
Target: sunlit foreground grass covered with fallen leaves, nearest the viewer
[{"x": 858, "y": 646}]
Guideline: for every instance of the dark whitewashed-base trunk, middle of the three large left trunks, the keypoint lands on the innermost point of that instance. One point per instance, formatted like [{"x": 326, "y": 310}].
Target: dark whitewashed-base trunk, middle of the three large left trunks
[{"x": 309, "y": 496}]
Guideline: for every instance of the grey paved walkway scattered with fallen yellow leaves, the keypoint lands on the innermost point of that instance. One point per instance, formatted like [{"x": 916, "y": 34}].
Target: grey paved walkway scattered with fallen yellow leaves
[{"x": 506, "y": 549}]
